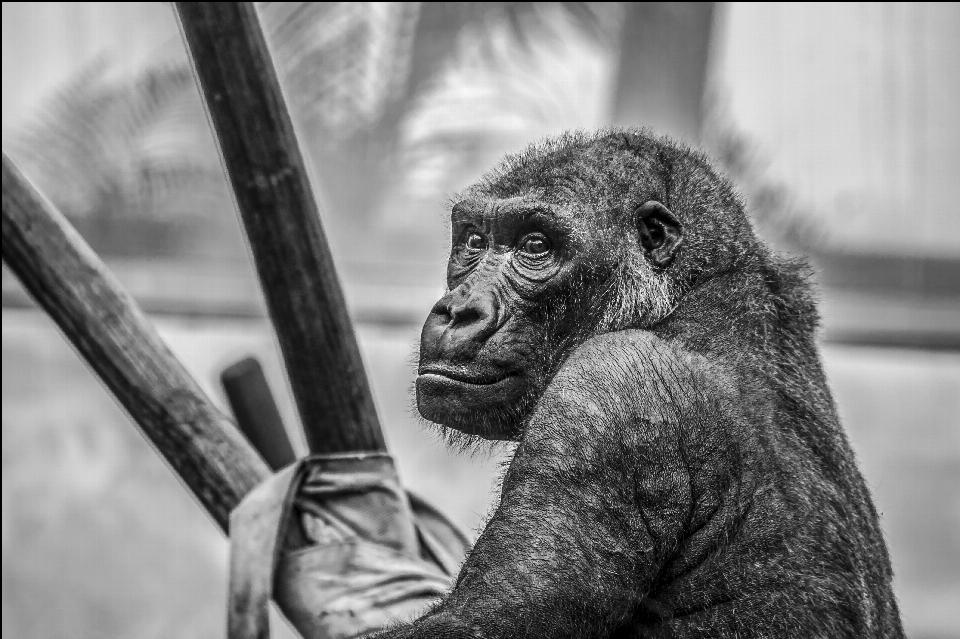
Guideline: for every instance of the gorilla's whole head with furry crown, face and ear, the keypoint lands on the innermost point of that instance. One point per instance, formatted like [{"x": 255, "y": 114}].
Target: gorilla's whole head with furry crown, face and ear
[{"x": 576, "y": 236}]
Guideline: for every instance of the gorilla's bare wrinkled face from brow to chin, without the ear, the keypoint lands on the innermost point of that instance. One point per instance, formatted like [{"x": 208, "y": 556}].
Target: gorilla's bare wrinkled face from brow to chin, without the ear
[{"x": 489, "y": 342}]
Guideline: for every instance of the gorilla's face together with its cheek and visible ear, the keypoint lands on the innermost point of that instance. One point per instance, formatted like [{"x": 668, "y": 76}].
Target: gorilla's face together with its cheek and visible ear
[{"x": 530, "y": 277}]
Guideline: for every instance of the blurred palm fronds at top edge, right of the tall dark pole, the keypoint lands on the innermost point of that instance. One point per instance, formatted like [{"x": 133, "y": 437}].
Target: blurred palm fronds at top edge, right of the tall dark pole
[{"x": 367, "y": 61}]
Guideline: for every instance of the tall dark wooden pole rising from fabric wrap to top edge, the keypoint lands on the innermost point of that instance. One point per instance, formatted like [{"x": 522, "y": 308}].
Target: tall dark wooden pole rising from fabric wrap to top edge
[{"x": 282, "y": 223}]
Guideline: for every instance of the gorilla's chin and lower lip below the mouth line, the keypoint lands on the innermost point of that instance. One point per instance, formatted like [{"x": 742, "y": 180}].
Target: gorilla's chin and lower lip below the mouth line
[{"x": 487, "y": 410}]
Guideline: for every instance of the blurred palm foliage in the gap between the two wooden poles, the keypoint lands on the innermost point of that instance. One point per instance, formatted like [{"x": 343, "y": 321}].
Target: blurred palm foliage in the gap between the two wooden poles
[{"x": 131, "y": 162}]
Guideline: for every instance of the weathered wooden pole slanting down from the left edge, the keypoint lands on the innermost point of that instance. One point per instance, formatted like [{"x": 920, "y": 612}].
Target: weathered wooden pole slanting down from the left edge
[{"x": 103, "y": 322}]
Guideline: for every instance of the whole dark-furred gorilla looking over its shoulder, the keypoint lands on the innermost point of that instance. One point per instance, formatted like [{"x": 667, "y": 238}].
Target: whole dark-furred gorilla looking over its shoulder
[{"x": 679, "y": 470}]
